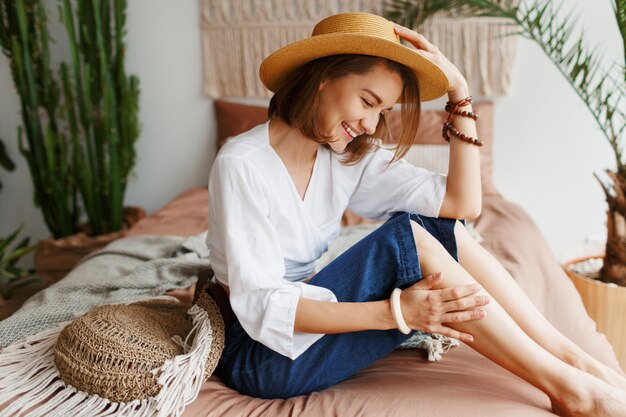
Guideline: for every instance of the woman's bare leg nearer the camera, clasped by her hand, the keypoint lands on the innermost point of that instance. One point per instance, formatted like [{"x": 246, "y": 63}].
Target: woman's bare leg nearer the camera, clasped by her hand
[{"x": 497, "y": 337}]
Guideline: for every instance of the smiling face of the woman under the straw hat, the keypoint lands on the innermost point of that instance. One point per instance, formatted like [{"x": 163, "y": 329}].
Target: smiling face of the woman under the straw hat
[{"x": 352, "y": 105}]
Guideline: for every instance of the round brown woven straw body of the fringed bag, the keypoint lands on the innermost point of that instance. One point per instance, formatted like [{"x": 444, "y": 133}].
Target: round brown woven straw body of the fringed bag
[{"x": 111, "y": 350}]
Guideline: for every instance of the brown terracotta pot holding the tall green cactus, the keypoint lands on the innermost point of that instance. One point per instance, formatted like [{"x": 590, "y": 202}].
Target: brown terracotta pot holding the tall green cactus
[{"x": 55, "y": 258}]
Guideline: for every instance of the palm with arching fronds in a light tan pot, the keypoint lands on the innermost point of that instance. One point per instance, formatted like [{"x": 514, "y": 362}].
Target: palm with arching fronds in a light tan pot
[{"x": 602, "y": 91}]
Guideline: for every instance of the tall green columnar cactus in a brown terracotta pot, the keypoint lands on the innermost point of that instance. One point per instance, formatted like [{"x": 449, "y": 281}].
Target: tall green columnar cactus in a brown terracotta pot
[{"x": 79, "y": 126}]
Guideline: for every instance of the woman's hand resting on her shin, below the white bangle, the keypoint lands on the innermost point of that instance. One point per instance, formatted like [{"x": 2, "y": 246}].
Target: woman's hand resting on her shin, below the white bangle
[{"x": 426, "y": 309}]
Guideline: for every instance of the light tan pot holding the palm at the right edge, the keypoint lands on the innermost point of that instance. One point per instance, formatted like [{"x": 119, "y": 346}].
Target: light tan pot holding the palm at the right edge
[{"x": 606, "y": 305}]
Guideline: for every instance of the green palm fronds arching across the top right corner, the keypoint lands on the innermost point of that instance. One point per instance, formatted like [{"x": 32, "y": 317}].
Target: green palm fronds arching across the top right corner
[{"x": 601, "y": 89}]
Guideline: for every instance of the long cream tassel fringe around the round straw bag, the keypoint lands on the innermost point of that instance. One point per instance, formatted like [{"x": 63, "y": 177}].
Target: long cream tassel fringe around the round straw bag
[{"x": 28, "y": 378}]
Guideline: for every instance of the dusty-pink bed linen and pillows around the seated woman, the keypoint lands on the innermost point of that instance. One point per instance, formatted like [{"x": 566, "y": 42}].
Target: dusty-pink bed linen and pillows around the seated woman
[{"x": 462, "y": 383}]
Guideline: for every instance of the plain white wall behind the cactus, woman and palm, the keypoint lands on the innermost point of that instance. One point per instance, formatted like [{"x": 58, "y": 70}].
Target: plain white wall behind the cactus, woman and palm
[{"x": 547, "y": 144}]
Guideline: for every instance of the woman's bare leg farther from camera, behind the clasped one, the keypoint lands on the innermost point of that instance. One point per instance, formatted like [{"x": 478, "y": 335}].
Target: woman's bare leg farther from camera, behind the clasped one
[{"x": 502, "y": 286}]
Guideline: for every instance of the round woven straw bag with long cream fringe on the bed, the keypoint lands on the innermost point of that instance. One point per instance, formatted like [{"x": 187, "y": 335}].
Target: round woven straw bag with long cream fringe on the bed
[{"x": 147, "y": 358}]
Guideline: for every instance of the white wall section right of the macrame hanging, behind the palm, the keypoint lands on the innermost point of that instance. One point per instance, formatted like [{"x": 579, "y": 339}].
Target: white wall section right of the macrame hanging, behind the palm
[{"x": 549, "y": 146}]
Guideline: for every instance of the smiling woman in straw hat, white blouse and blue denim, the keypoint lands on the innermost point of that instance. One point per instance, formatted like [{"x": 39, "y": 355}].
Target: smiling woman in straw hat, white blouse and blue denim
[{"x": 277, "y": 193}]
